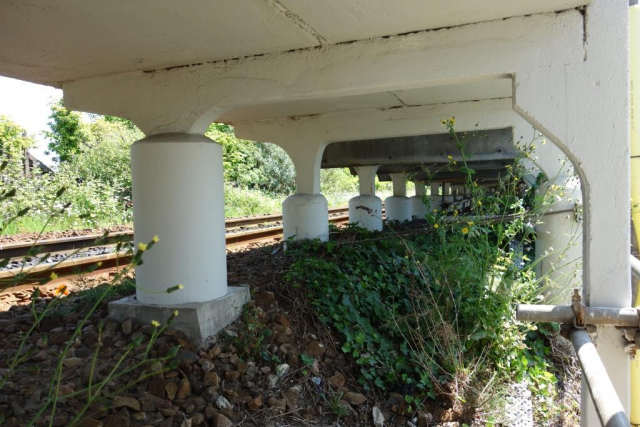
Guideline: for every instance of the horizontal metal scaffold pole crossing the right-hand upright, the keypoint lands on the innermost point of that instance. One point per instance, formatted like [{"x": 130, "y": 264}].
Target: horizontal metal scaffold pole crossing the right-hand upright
[{"x": 622, "y": 317}]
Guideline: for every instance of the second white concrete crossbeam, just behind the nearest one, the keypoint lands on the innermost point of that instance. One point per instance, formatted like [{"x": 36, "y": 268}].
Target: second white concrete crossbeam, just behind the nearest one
[{"x": 408, "y": 121}]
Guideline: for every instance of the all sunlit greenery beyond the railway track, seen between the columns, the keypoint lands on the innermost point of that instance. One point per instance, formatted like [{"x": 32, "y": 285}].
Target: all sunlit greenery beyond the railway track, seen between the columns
[{"x": 93, "y": 163}]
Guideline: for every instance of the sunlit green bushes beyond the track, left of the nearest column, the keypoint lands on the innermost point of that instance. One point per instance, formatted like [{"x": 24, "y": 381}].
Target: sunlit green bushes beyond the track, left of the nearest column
[{"x": 97, "y": 178}]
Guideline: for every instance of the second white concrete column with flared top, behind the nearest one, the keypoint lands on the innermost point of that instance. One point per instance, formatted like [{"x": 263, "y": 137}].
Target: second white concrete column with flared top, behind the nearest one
[{"x": 305, "y": 215}]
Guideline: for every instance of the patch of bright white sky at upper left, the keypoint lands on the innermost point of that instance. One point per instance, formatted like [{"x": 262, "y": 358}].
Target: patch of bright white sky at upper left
[{"x": 27, "y": 104}]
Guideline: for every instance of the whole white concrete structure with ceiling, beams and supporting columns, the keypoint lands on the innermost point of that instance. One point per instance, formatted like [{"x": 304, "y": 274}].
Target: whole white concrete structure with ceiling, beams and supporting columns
[{"x": 306, "y": 74}]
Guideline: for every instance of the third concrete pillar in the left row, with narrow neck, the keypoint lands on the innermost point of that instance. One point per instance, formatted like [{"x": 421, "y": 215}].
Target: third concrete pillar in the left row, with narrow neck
[{"x": 366, "y": 209}]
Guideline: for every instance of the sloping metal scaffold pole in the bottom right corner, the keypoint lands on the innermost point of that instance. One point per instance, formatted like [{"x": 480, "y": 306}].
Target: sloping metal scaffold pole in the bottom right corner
[{"x": 605, "y": 398}]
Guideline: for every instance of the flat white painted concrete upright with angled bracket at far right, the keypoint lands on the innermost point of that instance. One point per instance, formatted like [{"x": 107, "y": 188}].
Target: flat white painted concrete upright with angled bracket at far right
[{"x": 588, "y": 117}]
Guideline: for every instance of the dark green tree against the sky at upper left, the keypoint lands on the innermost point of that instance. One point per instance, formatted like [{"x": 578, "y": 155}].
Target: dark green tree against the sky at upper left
[{"x": 67, "y": 132}]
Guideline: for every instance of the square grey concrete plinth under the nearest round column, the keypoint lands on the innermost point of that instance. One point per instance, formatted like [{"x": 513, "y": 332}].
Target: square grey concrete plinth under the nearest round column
[{"x": 198, "y": 321}]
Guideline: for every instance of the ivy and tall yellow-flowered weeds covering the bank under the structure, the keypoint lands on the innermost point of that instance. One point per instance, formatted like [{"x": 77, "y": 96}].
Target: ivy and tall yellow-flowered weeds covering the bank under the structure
[{"x": 432, "y": 314}]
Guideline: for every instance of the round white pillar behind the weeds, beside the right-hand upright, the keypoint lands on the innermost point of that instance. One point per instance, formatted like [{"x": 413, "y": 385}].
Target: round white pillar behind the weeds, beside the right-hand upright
[{"x": 559, "y": 247}]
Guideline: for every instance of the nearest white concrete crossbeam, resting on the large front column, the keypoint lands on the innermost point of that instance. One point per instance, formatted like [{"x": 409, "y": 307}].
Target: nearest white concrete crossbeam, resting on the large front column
[{"x": 189, "y": 98}]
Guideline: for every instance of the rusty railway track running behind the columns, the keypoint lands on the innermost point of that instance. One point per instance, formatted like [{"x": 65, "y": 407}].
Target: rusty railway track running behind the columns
[{"x": 236, "y": 237}]
